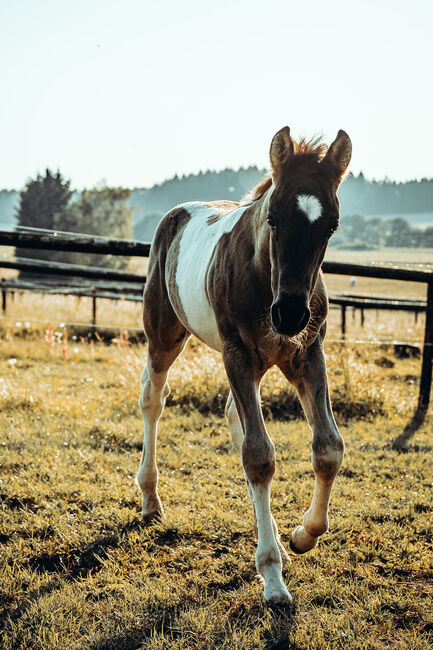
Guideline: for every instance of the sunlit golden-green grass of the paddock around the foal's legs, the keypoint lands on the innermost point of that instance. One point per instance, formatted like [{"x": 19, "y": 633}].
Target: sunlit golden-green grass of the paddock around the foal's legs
[{"x": 80, "y": 570}]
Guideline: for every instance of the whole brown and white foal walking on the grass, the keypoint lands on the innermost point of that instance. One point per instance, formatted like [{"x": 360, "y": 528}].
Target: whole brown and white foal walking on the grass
[{"x": 245, "y": 279}]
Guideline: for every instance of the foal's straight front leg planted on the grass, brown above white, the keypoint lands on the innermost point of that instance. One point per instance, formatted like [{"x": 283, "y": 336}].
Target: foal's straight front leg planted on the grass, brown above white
[{"x": 258, "y": 460}]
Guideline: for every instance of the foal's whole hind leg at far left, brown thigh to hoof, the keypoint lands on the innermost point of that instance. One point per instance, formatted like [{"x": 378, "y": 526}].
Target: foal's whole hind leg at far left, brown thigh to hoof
[{"x": 166, "y": 339}]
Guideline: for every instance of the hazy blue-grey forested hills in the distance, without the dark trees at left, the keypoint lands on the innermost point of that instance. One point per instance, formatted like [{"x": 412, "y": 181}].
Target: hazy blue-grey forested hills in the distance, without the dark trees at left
[{"x": 391, "y": 207}]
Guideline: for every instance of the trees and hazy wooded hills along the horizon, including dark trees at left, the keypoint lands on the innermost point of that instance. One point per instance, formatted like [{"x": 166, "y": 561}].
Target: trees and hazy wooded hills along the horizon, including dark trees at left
[{"x": 48, "y": 201}]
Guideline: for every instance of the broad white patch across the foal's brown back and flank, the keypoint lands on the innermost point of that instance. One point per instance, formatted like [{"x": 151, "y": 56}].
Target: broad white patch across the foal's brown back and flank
[{"x": 198, "y": 242}]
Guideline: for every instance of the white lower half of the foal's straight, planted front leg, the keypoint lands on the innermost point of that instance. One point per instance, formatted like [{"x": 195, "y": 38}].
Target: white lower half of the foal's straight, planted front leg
[{"x": 268, "y": 559}]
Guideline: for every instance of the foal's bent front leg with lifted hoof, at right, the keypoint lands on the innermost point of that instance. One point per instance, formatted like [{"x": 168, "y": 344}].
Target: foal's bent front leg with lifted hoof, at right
[{"x": 327, "y": 446}]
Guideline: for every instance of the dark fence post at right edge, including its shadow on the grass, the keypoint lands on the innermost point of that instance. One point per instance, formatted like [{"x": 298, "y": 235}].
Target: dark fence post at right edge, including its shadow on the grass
[{"x": 426, "y": 376}]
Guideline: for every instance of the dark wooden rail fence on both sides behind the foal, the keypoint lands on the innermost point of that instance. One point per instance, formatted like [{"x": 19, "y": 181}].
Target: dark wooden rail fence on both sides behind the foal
[{"x": 48, "y": 240}]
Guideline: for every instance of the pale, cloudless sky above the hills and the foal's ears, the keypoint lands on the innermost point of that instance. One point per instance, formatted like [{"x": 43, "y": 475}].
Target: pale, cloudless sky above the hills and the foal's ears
[{"x": 131, "y": 92}]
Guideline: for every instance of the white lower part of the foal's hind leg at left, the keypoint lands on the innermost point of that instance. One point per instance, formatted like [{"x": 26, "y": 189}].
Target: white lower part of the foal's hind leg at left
[{"x": 154, "y": 391}]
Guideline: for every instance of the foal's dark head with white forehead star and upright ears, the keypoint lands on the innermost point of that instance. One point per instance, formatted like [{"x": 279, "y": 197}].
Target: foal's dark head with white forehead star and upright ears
[{"x": 303, "y": 213}]
